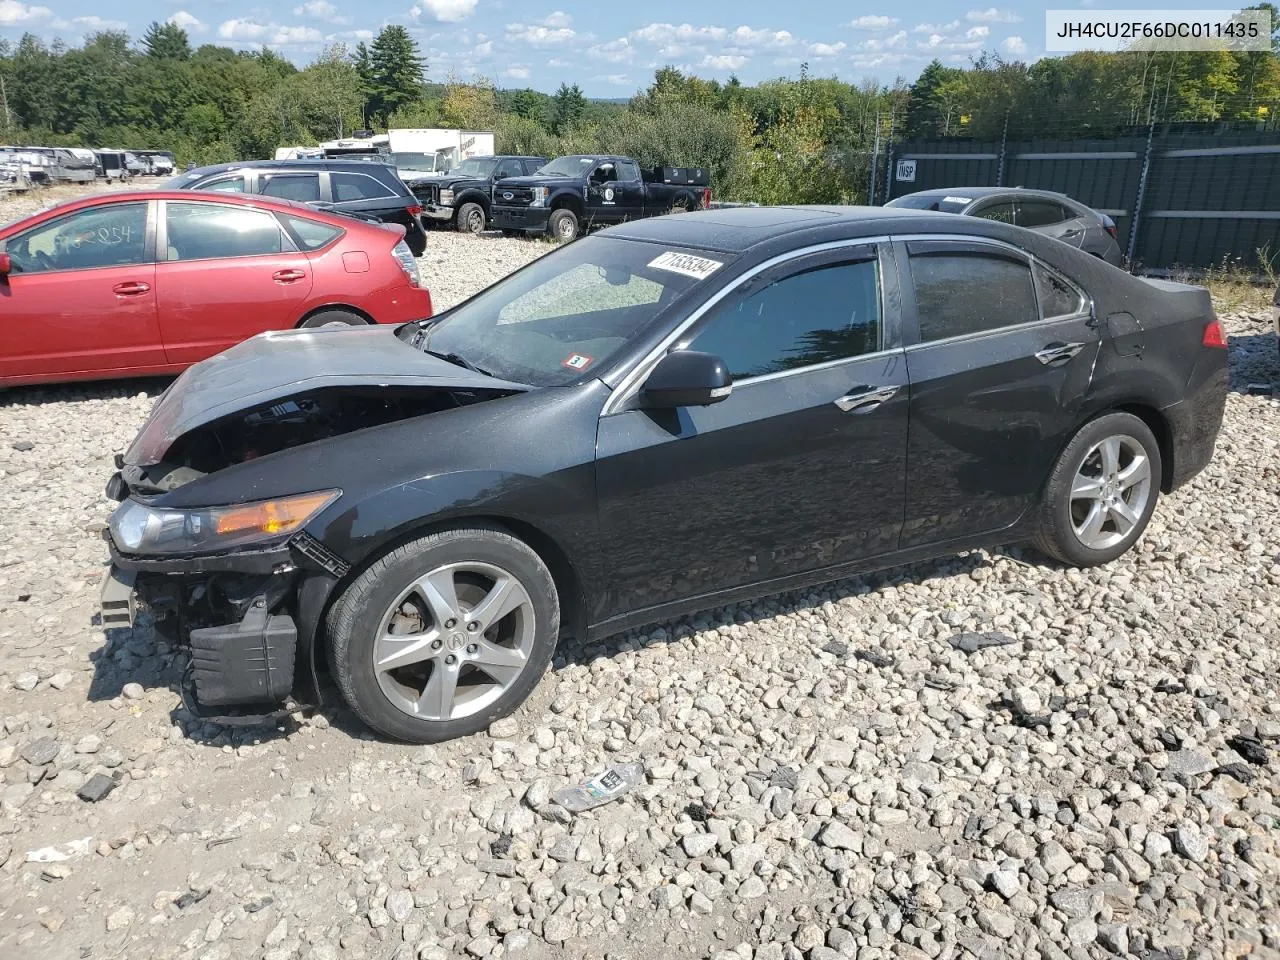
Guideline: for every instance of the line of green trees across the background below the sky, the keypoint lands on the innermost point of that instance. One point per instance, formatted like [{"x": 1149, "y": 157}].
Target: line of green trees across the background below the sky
[{"x": 792, "y": 140}]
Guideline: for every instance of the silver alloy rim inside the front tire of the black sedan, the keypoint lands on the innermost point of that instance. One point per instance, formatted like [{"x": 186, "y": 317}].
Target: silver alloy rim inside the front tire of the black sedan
[{"x": 455, "y": 642}]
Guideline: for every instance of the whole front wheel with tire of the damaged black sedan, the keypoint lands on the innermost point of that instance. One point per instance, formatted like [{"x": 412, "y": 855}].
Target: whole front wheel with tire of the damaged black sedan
[{"x": 445, "y": 636}]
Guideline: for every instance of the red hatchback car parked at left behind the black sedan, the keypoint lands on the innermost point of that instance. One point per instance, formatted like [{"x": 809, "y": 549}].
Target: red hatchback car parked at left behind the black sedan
[{"x": 150, "y": 282}]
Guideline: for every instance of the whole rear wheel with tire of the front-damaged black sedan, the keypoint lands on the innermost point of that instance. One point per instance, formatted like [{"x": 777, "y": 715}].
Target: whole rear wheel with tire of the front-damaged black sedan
[{"x": 1101, "y": 493}]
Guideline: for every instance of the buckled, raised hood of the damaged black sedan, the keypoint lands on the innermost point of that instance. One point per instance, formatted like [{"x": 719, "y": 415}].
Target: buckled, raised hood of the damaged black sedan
[{"x": 276, "y": 365}]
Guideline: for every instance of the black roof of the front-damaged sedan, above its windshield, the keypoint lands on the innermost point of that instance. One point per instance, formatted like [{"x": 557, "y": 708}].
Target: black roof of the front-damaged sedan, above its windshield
[{"x": 738, "y": 230}]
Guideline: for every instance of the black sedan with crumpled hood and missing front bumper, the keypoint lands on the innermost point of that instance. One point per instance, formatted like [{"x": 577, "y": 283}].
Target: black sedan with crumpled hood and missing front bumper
[{"x": 670, "y": 415}]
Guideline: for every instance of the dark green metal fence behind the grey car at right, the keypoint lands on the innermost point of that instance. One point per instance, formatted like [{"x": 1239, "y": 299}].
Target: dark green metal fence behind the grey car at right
[{"x": 1180, "y": 200}]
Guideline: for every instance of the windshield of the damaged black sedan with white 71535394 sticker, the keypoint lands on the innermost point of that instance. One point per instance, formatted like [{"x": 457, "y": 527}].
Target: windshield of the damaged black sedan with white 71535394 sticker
[{"x": 568, "y": 314}]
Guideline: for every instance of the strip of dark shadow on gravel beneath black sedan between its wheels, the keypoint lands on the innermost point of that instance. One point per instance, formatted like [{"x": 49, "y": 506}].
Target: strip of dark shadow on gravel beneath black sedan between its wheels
[{"x": 577, "y": 652}]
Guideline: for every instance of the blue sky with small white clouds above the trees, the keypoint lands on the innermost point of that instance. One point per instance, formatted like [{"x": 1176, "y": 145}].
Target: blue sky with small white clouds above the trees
[{"x": 609, "y": 51}]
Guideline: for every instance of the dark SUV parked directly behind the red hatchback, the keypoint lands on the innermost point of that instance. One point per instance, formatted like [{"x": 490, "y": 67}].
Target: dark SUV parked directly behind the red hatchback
[{"x": 348, "y": 186}]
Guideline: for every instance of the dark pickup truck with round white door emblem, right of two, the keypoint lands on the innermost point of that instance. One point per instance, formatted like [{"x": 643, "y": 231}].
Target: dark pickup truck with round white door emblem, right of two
[{"x": 573, "y": 194}]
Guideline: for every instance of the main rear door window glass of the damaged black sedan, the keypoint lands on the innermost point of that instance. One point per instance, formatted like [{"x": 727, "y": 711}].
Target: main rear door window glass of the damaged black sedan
[{"x": 964, "y": 294}]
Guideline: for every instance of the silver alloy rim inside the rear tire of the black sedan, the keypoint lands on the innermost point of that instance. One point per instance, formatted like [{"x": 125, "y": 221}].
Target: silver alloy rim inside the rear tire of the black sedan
[{"x": 1110, "y": 492}]
